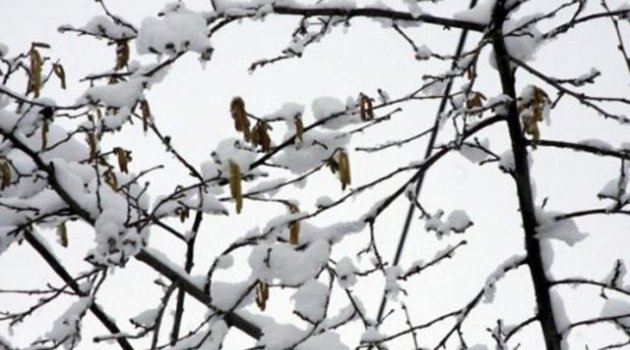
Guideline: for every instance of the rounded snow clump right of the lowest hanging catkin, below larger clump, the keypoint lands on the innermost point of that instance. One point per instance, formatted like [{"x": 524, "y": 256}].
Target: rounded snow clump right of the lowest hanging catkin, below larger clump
[{"x": 311, "y": 300}]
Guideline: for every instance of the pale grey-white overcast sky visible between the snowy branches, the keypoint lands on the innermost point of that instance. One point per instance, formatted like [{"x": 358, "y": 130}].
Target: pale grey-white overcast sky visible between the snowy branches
[{"x": 192, "y": 103}]
